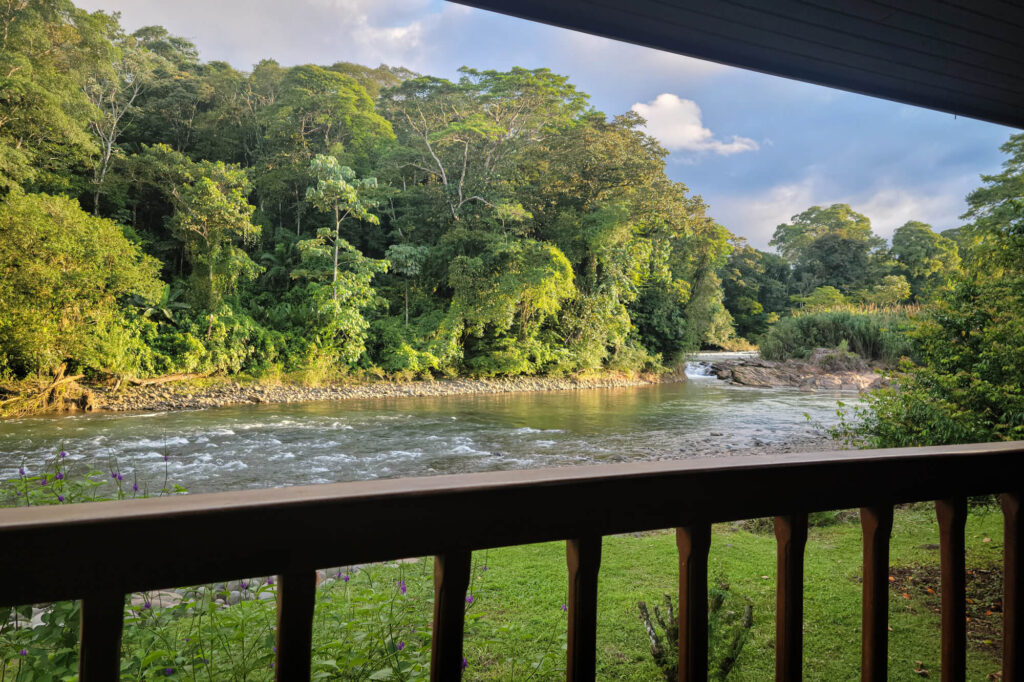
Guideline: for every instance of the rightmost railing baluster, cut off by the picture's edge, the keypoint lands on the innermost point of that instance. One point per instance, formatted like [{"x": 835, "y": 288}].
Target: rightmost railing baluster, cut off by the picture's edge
[{"x": 1013, "y": 588}]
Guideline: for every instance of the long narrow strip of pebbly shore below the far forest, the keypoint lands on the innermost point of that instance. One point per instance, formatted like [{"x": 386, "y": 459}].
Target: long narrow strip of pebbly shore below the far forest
[{"x": 229, "y": 393}]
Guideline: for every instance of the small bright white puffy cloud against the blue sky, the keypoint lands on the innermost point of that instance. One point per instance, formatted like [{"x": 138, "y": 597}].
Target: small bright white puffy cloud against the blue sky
[{"x": 676, "y": 124}]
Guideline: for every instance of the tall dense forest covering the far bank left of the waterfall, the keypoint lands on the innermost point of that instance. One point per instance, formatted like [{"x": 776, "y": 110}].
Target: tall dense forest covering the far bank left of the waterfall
[{"x": 319, "y": 219}]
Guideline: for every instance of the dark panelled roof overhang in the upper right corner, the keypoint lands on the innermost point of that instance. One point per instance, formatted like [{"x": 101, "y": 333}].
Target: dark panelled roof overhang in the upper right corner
[{"x": 961, "y": 57}]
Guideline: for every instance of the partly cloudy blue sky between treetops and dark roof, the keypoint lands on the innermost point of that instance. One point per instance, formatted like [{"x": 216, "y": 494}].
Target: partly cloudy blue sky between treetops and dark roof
[{"x": 759, "y": 149}]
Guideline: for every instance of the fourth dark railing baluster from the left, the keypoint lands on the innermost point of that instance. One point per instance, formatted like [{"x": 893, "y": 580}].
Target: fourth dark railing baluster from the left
[{"x": 583, "y": 557}]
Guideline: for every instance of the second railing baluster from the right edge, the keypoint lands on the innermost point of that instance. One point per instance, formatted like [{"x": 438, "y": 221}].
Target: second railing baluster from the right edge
[{"x": 953, "y": 520}]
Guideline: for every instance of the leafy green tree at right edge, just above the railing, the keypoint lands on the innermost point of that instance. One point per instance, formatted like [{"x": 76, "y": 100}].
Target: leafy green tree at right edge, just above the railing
[{"x": 970, "y": 385}]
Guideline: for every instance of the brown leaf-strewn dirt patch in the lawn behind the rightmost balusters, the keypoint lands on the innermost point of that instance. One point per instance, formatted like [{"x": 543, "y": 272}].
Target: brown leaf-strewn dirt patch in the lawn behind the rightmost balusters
[{"x": 921, "y": 585}]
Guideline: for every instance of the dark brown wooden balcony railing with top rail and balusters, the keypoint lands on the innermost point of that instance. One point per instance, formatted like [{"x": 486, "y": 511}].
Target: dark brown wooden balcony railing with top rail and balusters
[{"x": 58, "y": 553}]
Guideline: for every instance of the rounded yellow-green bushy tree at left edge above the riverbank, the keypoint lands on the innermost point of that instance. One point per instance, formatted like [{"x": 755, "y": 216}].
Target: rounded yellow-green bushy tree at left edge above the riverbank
[{"x": 64, "y": 275}]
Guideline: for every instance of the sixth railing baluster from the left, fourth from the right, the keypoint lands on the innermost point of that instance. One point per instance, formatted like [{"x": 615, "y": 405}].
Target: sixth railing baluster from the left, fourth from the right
[{"x": 791, "y": 536}]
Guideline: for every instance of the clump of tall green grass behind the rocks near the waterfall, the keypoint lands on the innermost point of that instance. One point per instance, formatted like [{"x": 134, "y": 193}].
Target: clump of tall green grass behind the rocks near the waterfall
[{"x": 881, "y": 335}]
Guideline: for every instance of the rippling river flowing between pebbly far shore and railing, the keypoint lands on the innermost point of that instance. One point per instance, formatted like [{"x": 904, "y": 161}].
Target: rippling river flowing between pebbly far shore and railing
[{"x": 315, "y": 443}]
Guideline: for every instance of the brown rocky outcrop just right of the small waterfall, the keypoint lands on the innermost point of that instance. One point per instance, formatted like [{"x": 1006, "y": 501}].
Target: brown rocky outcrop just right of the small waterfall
[{"x": 826, "y": 370}]
